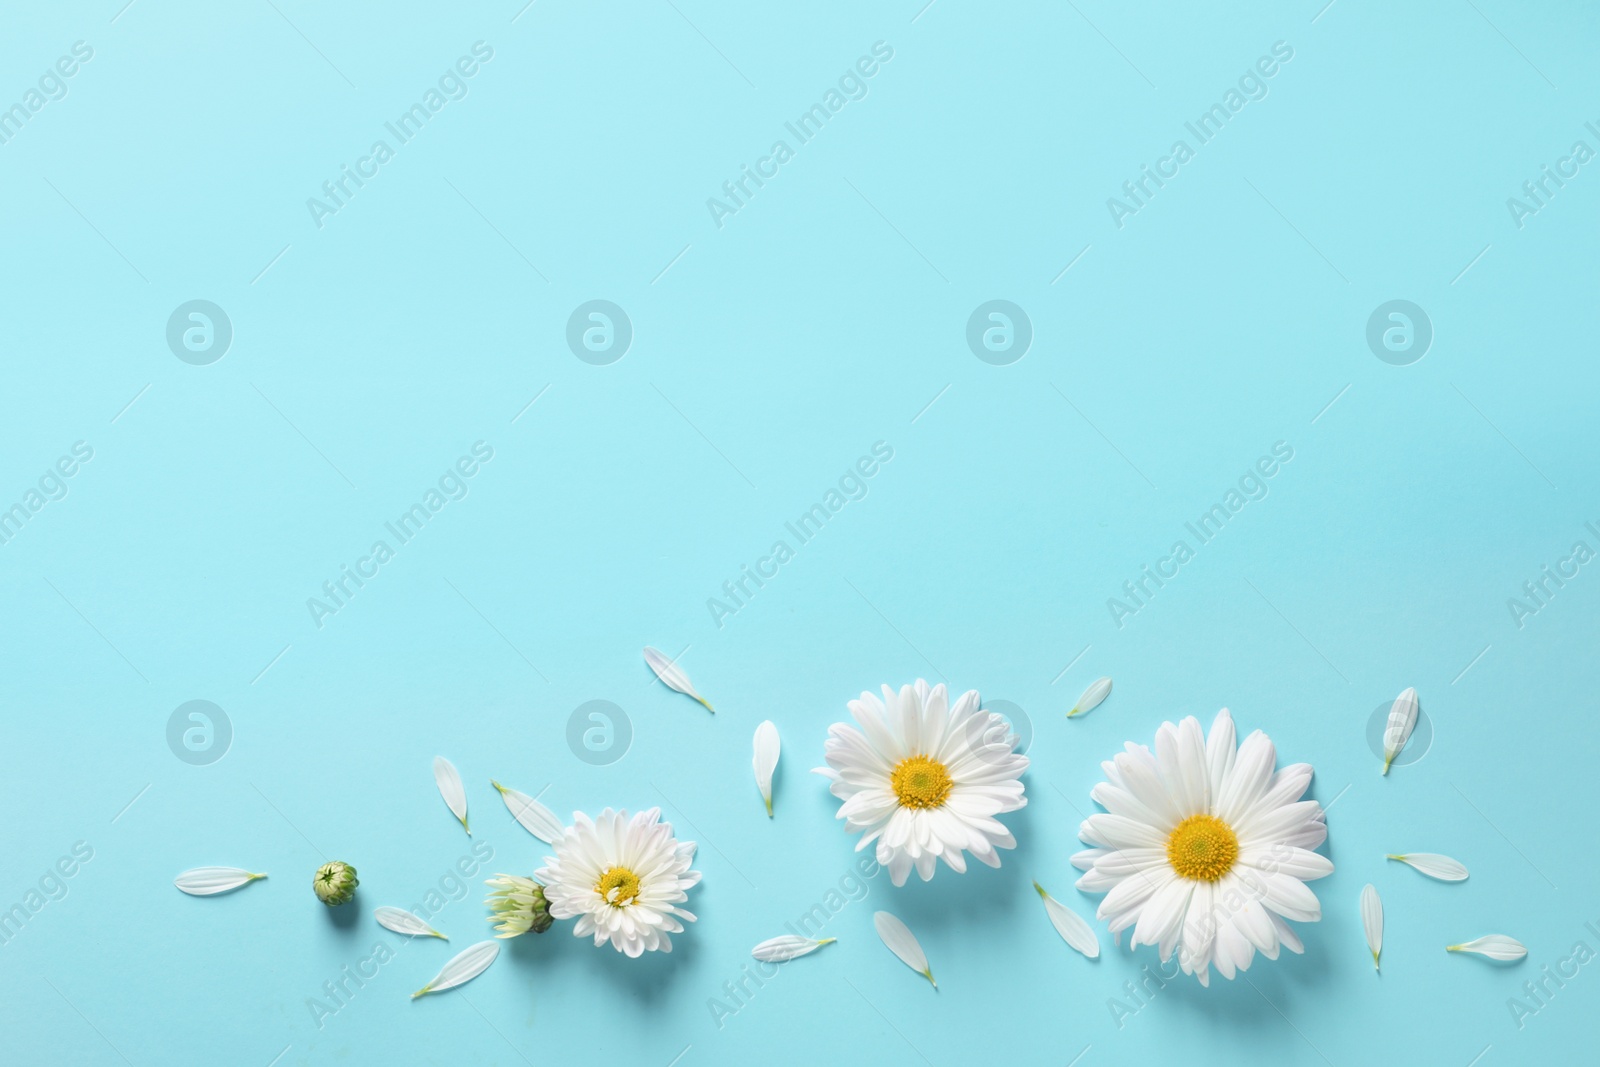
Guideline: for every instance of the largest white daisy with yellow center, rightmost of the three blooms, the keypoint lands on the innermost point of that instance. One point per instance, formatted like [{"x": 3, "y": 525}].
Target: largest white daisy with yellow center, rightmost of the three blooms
[{"x": 1206, "y": 850}]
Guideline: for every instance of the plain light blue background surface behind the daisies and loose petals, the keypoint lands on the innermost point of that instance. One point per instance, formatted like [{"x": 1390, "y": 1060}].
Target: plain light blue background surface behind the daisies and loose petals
[{"x": 767, "y": 358}]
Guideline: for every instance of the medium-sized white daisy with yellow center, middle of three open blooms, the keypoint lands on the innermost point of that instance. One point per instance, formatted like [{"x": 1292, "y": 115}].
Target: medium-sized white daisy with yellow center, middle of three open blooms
[{"x": 926, "y": 780}]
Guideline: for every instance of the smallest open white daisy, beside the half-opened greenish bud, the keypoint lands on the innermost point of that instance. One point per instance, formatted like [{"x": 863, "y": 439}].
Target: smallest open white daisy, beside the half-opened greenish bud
[{"x": 622, "y": 879}]
